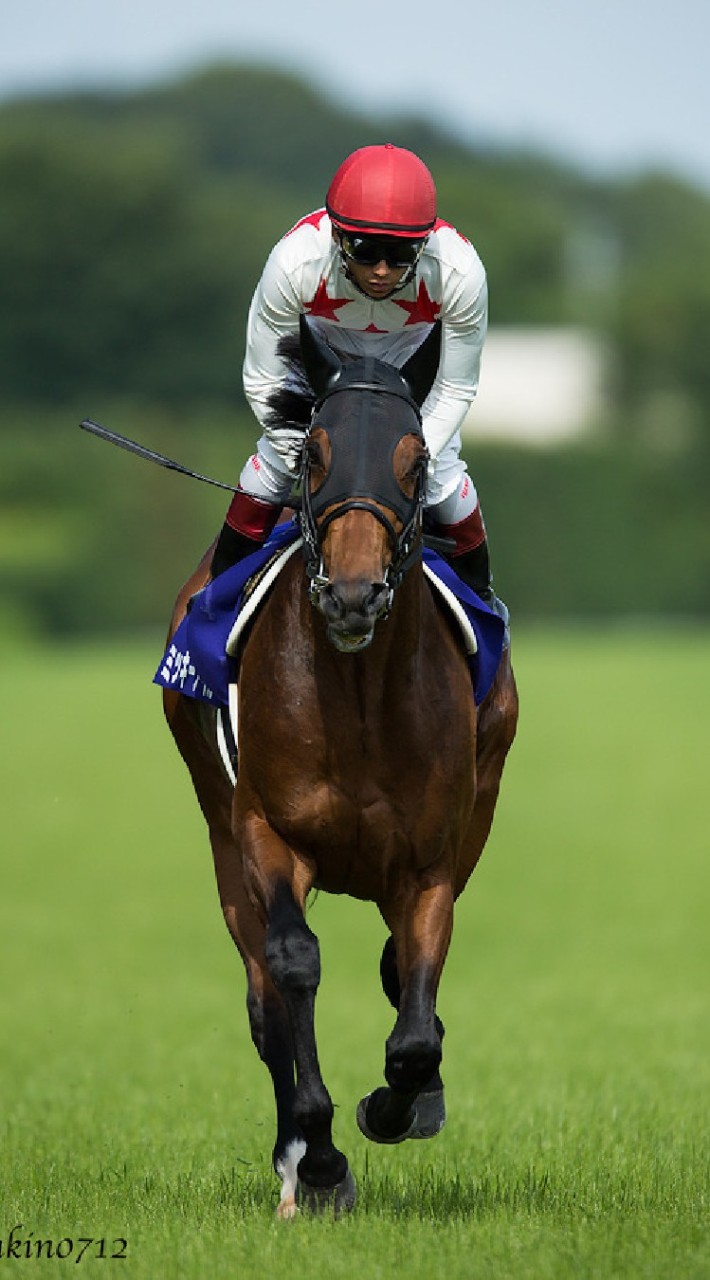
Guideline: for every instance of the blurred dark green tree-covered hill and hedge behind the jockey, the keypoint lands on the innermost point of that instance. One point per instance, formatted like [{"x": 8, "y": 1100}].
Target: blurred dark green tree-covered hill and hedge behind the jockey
[{"x": 134, "y": 228}]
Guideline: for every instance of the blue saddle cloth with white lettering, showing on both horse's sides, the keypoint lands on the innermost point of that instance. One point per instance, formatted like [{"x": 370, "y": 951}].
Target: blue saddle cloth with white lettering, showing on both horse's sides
[{"x": 196, "y": 661}]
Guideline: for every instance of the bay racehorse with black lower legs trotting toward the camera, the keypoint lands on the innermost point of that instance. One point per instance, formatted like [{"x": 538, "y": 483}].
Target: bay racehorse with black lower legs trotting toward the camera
[{"x": 365, "y": 766}]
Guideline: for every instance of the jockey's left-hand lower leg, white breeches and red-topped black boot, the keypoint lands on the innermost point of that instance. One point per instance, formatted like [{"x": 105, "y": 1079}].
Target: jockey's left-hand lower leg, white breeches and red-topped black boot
[{"x": 264, "y": 487}]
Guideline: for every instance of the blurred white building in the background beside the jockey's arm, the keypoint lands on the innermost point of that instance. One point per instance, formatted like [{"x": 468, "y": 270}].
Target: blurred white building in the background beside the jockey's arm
[{"x": 539, "y": 386}]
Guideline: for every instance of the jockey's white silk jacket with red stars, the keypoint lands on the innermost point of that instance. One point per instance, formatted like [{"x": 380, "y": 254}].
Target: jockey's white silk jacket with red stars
[{"x": 305, "y": 275}]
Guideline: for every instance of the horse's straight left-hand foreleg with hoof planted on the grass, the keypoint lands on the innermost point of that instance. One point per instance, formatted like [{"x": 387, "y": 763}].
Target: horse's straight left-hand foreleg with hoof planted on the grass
[{"x": 294, "y": 958}]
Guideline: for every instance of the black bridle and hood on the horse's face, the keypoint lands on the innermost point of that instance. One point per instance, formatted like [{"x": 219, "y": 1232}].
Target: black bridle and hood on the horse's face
[{"x": 375, "y": 484}]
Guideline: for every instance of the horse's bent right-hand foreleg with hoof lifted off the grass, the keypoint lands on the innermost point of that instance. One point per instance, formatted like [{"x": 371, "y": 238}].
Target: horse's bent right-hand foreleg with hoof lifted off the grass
[{"x": 422, "y": 934}]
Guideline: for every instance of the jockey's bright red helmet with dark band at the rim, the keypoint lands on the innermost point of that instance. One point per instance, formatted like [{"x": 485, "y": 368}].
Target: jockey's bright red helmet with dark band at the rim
[{"x": 386, "y": 191}]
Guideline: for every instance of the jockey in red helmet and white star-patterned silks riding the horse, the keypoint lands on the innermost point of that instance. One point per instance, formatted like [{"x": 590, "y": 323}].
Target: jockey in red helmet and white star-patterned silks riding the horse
[{"x": 373, "y": 272}]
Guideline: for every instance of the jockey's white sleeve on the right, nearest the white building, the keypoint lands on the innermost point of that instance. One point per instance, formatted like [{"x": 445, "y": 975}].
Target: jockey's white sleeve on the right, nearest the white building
[{"x": 464, "y": 331}]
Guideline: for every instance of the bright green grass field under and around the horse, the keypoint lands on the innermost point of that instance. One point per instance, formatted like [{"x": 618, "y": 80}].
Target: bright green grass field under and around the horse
[{"x": 576, "y": 998}]
